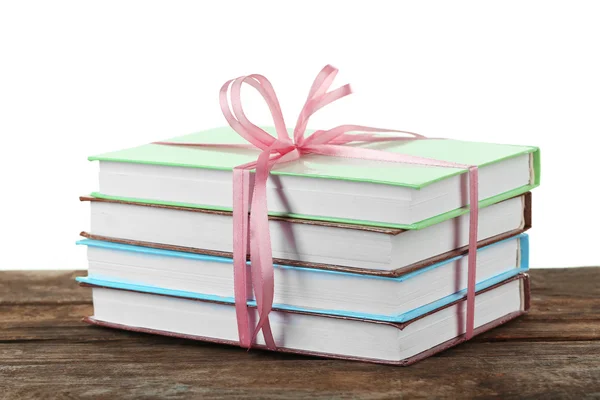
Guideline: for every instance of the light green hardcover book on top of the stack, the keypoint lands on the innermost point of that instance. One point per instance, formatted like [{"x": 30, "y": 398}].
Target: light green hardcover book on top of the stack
[{"x": 374, "y": 193}]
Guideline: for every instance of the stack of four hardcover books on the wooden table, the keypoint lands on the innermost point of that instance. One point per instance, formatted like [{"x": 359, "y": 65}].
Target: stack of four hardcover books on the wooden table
[{"x": 371, "y": 257}]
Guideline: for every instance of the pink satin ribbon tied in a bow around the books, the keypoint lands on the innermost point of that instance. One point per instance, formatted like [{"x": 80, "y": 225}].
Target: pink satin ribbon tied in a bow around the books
[{"x": 282, "y": 148}]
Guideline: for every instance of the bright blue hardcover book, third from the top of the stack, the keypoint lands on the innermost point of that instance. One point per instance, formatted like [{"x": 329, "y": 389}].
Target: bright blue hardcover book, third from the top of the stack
[{"x": 310, "y": 290}]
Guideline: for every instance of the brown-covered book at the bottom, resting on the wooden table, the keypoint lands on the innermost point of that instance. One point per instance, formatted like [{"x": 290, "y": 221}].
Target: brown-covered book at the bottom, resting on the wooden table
[{"x": 352, "y": 338}]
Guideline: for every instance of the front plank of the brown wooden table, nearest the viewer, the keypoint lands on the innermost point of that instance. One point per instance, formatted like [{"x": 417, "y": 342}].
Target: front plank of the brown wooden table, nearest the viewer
[{"x": 184, "y": 369}]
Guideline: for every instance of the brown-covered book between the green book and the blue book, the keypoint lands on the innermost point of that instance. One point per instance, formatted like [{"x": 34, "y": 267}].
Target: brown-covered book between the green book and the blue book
[{"x": 307, "y": 243}]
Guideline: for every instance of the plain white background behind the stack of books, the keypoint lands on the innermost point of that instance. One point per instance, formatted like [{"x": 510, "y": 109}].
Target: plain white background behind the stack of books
[{"x": 80, "y": 78}]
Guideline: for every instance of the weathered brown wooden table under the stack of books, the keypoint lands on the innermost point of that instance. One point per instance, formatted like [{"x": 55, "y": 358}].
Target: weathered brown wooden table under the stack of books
[{"x": 46, "y": 352}]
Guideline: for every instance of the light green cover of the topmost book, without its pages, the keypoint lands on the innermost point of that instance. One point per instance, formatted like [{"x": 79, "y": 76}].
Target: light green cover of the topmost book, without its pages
[{"x": 338, "y": 168}]
